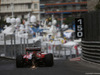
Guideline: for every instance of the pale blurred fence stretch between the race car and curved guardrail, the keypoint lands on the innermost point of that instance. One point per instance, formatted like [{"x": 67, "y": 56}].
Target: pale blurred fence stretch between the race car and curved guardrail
[{"x": 60, "y": 51}]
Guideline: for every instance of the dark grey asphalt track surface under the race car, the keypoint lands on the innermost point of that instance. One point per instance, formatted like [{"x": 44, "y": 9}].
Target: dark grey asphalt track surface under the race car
[{"x": 61, "y": 67}]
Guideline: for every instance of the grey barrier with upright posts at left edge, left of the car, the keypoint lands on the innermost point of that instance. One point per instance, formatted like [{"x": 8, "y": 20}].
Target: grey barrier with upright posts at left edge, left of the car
[{"x": 12, "y": 46}]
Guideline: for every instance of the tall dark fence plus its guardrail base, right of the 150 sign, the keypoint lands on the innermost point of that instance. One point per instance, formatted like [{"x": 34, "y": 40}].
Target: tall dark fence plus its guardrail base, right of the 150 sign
[{"x": 91, "y": 39}]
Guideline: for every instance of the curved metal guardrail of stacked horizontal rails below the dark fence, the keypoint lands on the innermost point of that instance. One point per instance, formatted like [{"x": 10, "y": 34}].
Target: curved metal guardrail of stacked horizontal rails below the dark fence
[{"x": 91, "y": 51}]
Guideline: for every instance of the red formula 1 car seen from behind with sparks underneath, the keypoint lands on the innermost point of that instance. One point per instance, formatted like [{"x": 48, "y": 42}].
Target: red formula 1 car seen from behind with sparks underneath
[{"x": 34, "y": 56}]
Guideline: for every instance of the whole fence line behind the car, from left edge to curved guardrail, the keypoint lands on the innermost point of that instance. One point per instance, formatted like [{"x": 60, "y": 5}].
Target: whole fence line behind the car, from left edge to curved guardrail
[{"x": 11, "y": 46}]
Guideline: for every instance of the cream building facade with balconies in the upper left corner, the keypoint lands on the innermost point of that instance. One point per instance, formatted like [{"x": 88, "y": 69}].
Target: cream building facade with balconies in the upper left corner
[{"x": 20, "y": 8}]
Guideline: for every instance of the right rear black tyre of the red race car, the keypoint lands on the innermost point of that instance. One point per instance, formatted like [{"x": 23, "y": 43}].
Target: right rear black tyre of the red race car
[{"x": 49, "y": 60}]
